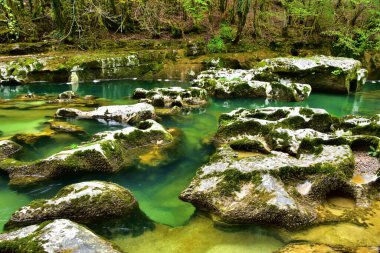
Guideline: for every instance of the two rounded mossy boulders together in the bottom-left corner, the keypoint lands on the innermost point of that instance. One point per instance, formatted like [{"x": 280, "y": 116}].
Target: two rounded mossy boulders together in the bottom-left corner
[{"x": 51, "y": 225}]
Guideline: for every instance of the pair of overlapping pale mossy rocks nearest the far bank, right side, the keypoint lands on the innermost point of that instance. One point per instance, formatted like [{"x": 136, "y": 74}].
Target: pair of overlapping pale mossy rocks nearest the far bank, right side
[{"x": 289, "y": 79}]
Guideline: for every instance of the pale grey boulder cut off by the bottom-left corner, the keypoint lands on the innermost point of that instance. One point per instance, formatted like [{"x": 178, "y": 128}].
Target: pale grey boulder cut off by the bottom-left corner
[{"x": 54, "y": 236}]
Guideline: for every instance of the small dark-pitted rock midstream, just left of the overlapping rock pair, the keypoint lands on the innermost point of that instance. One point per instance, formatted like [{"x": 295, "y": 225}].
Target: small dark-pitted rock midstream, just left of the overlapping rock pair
[{"x": 174, "y": 96}]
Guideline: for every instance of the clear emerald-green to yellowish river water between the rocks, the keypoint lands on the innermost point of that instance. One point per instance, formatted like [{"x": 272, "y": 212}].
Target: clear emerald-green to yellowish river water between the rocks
[{"x": 157, "y": 188}]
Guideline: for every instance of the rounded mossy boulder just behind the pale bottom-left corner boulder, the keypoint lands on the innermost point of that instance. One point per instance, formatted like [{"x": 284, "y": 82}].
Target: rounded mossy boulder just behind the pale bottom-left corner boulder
[{"x": 85, "y": 203}]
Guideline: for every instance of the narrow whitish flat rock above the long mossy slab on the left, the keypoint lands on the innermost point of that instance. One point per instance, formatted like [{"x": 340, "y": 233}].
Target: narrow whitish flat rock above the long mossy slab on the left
[{"x": 121, "y": 113}]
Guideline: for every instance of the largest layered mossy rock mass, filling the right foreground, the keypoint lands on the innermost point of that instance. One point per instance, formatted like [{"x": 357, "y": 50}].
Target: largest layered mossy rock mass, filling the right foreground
[{"x": 277, "y": 165}]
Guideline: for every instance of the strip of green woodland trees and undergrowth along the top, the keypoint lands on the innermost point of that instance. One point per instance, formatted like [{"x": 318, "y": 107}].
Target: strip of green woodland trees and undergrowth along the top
[{"x": 352, "y": 26}]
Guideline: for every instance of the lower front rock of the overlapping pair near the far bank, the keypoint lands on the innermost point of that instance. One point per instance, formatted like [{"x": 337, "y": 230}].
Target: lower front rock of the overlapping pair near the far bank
[{"x": 230, "y": 83}]
